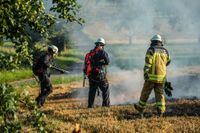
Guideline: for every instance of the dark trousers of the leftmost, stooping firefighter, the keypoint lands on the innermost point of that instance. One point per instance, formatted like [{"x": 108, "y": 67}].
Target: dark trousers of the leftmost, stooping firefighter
[{"x": 46, "y": 89}]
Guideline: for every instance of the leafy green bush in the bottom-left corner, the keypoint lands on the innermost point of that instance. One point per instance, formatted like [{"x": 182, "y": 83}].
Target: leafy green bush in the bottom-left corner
[{"x": 8, "y": 107}]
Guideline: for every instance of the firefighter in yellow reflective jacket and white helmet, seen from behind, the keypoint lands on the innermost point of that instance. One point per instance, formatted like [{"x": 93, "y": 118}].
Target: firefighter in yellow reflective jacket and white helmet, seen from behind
[{"x": 156, "y": 60}]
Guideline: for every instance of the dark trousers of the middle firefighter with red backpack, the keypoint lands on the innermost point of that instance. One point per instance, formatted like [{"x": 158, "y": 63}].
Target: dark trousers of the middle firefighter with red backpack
[{"x": 104, "y": 87}]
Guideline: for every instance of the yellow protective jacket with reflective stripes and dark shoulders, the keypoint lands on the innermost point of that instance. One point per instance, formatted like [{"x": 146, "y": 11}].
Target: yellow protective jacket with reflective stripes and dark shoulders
[{"x": 156, "y": 60}]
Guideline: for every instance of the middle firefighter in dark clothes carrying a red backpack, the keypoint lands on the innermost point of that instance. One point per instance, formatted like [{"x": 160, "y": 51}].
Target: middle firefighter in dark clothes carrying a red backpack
[{"x": 95, "y": 69}]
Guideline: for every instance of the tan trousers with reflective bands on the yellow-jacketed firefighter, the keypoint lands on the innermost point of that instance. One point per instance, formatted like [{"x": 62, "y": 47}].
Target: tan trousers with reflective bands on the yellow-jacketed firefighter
[{"x": 159, "y": 95}]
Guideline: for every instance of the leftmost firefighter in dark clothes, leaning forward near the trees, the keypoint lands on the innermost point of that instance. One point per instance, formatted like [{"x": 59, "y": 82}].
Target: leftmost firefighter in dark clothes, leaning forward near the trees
[{"x": 42, "y": 71}]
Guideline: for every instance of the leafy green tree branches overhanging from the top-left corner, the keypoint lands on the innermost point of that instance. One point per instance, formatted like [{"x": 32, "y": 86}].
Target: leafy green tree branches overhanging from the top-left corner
[{"x": 17, "y": 15}]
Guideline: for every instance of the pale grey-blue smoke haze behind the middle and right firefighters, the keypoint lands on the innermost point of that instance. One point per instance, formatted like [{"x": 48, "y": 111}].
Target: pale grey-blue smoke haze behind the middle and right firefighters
[{"x": 136, "y": 21}]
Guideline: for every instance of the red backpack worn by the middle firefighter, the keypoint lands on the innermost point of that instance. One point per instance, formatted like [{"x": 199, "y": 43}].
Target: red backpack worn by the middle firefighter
[{"x": 89, "y": 68}]
